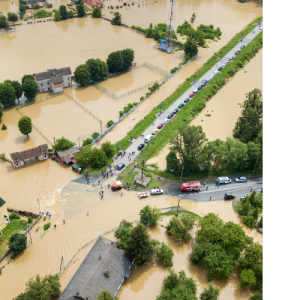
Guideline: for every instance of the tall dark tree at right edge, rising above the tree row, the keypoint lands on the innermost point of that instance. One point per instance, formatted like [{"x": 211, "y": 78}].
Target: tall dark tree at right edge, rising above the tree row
[{"x": 249, "y": 124}]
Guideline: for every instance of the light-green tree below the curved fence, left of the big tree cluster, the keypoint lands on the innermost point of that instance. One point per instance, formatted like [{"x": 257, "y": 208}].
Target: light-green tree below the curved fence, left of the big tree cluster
[{"x": 180, "y": 226}]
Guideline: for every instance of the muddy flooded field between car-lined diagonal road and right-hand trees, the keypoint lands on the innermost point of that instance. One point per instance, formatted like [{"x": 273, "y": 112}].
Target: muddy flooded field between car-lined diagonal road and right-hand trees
[{"x": 223, "y": 107}]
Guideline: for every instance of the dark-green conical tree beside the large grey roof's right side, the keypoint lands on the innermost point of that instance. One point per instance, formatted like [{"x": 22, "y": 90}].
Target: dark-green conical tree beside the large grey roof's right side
[{"x": 139, "y": 245}]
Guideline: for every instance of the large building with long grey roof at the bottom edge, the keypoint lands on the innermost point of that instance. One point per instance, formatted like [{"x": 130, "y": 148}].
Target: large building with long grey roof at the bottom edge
[{"x": 104, "y": 268}]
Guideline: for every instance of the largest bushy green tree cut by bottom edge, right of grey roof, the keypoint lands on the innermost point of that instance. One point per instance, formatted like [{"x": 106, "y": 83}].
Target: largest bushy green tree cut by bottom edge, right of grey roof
[{"x": 178, "y": 287}]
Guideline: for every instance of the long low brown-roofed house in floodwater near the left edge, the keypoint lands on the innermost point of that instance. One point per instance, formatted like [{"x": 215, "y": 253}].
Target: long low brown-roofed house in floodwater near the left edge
[{"x": 39, "y": 153}]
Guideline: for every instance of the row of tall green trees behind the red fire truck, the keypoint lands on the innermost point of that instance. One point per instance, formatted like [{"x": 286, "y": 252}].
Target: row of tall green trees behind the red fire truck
[{"x": 190, "y": 148}]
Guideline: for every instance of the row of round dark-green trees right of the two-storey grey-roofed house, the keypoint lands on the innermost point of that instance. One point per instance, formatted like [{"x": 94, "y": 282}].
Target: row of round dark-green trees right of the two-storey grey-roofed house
[{"x": 96, "y": 69}]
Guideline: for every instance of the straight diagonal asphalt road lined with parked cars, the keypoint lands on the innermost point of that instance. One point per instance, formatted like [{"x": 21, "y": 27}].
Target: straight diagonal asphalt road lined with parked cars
[{"x": 163, "y": 116}]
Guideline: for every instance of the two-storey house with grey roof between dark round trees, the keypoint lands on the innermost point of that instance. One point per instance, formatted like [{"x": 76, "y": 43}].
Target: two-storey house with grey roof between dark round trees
[{"x": 53, "y": 79}]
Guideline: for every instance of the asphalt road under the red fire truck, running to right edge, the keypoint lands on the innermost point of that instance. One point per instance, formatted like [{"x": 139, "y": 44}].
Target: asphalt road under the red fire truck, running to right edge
[{"x": 217, "y": 193}]
